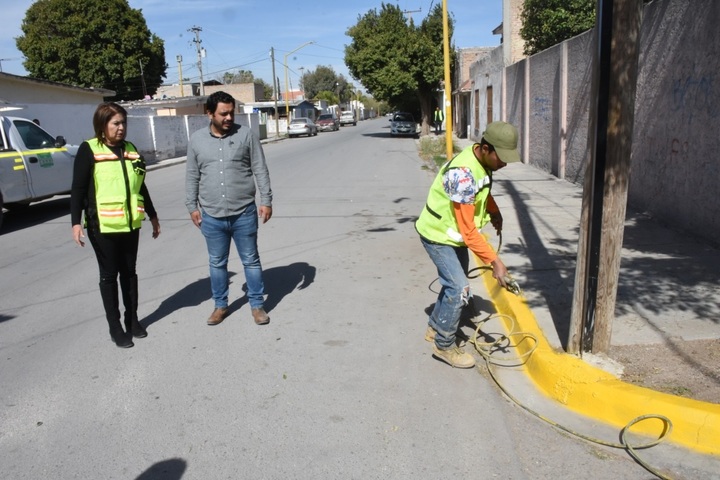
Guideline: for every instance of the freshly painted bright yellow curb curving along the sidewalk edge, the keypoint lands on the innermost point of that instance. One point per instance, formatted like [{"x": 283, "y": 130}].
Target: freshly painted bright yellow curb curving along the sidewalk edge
[{"x": 595, "y": 393}]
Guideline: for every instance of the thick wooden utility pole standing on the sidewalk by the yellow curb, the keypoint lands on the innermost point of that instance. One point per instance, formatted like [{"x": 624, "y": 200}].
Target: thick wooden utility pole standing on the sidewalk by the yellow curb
[{"x": 615, "y": 65}]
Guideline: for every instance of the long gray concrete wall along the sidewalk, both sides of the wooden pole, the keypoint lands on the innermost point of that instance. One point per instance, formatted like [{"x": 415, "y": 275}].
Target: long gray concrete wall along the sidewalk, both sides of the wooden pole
[{"x": 674, "y": 164}]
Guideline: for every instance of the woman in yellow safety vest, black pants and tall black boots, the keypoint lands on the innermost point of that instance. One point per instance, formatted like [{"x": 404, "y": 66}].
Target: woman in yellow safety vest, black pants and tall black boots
[{"x": 109, "y": 186}]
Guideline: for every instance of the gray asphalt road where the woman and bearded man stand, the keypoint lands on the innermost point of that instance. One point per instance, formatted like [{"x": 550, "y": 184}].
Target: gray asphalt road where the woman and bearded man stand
[{"x": 340, "y": 384}]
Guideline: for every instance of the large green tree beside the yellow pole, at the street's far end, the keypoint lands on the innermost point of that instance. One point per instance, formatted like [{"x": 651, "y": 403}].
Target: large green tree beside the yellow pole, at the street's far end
[{"x": 397, "y": 62}]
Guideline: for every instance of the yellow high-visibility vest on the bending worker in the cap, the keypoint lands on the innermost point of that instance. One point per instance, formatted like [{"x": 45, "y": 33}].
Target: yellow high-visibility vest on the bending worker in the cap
[{"x": 437, "y": 221}]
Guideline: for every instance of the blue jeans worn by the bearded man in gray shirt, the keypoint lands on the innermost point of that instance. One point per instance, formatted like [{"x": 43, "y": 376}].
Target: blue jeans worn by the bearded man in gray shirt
[{"x": 242, "y": 229}]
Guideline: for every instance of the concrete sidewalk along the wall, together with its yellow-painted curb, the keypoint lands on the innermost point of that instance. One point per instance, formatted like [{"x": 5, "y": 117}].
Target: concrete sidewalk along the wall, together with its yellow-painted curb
[{"x": 667, "y": 295}]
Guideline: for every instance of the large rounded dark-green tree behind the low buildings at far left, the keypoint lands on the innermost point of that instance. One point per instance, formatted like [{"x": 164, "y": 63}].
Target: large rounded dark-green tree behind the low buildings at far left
[{"x": 88, "y": 43}]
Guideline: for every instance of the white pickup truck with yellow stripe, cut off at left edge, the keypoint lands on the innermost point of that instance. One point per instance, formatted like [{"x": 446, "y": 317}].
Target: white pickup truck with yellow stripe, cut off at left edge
[{"x": 33, "y": 165}]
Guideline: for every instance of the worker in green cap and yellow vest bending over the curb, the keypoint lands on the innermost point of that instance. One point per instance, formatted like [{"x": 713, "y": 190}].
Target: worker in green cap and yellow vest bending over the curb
[{"x": 458, "y": 206}]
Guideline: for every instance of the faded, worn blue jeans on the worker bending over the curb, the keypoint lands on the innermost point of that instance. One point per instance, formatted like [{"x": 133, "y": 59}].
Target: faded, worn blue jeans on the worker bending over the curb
[{"x": 454, "y": 292}]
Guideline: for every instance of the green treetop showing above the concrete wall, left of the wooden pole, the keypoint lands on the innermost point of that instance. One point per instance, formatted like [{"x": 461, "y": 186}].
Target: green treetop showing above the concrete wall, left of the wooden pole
[{"x": 548, "y": 22}]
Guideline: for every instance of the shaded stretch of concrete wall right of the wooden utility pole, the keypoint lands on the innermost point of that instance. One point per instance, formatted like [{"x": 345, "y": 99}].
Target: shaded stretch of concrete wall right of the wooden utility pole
[{"x": 675, "y": 165}]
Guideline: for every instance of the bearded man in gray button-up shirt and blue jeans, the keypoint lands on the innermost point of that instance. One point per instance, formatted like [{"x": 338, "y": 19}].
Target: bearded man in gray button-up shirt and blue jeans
[{"x": 224, "y": 164}]
